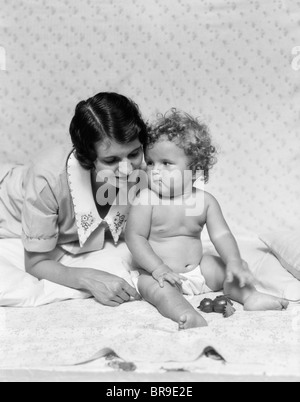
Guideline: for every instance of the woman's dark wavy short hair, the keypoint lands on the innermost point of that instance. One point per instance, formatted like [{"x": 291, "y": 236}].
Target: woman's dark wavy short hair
[{"x": 106, "y": 115}]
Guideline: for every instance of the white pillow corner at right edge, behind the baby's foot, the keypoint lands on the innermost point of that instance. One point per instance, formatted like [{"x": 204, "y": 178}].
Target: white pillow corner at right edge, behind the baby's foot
[{"x": 285, "y": 245}]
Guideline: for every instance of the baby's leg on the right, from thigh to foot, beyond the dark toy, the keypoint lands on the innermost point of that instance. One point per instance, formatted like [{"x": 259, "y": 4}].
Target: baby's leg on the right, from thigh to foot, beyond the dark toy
[{"x": 214, "y": 272}]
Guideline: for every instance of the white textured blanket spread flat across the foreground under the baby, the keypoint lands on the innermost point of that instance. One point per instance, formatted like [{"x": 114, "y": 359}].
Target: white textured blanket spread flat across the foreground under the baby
[{"x": 57, "y": 336}]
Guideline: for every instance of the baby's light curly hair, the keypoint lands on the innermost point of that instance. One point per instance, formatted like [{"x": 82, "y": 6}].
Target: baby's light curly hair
[{"x": 189, "y": 134}]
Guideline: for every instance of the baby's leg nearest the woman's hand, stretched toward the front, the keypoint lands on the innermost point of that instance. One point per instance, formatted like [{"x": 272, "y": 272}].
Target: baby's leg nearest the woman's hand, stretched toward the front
[{"x": 170, "y": 303}]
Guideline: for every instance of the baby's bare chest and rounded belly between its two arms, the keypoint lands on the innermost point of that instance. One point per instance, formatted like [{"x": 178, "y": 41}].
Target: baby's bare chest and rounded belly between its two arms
[{"x": 176, "y": 238}]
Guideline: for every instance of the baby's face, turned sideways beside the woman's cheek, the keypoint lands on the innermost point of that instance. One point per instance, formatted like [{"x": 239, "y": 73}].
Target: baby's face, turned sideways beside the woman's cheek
[{"x": 168, "y": 169}]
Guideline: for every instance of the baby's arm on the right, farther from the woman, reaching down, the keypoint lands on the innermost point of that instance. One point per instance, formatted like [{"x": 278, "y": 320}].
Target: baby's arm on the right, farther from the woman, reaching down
[{"x": 225, "y": 243}]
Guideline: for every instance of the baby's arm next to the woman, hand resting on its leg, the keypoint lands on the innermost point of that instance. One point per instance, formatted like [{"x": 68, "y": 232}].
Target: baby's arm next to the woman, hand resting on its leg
[{"x": 137, "y": 233}]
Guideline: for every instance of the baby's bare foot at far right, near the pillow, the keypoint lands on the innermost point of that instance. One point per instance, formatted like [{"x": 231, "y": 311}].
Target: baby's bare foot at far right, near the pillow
[{"x": 263, "y": 302}]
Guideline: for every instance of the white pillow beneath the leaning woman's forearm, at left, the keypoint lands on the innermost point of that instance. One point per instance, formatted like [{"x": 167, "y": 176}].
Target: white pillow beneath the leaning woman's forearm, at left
[{"x": 19, "y": 289}]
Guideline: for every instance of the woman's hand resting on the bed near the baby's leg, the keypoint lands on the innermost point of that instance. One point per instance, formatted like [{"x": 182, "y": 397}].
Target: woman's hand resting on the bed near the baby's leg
[{"x": 108, "y": 289}]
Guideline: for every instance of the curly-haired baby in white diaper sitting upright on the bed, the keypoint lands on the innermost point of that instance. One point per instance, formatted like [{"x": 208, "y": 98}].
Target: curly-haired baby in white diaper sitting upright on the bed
[{"x": 164, "y": 228}]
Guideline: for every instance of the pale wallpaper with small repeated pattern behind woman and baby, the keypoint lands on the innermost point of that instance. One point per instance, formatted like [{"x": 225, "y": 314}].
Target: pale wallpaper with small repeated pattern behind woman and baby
[{"x": 228, "y": 61}]
